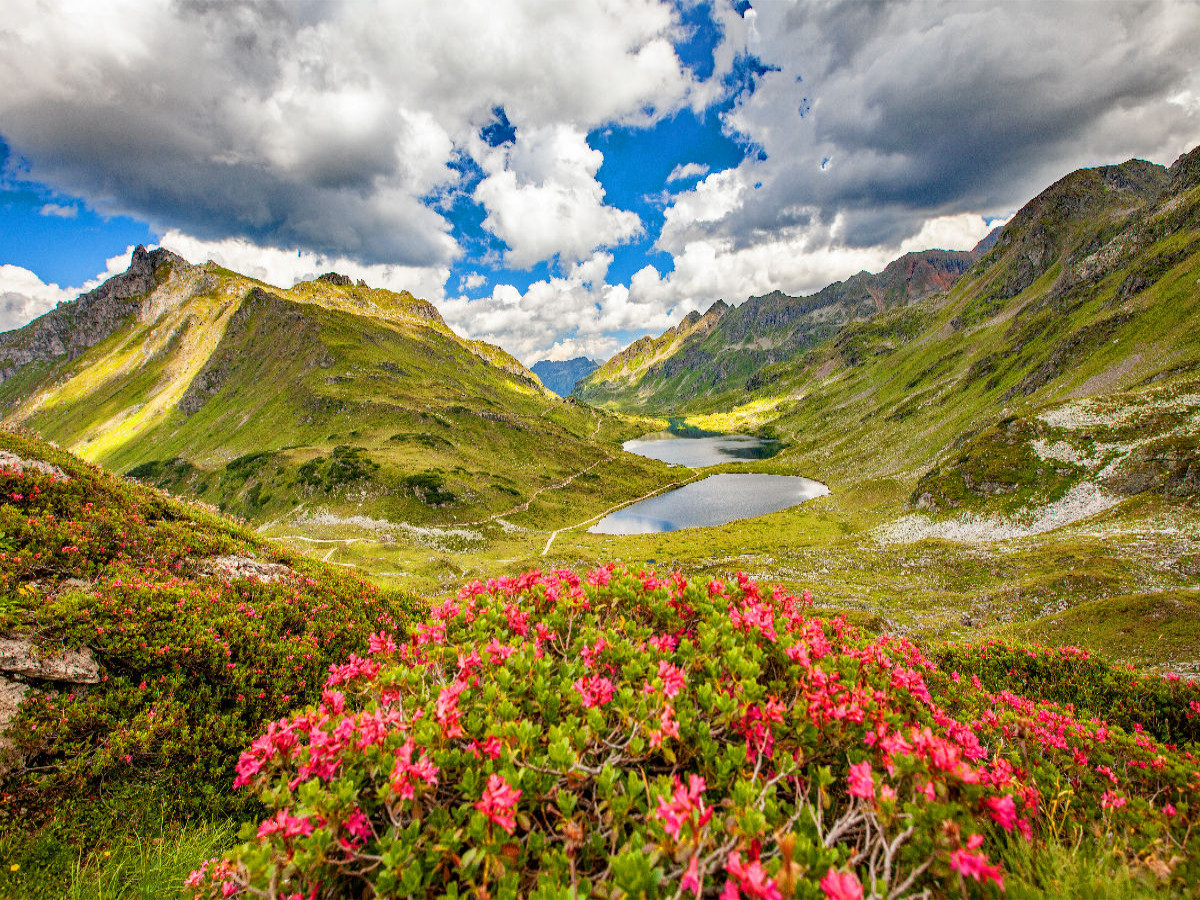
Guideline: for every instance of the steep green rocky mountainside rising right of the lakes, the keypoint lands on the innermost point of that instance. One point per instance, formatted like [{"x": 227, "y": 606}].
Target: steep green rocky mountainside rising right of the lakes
[{"x": 1066, "y": 359}]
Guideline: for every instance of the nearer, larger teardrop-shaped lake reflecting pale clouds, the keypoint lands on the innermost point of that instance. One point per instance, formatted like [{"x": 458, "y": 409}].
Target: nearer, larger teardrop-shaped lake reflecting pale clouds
[{"x": 713, "y": 501}]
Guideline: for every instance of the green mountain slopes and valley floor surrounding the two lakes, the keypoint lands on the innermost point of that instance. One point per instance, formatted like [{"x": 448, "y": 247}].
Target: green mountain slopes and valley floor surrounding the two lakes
[{"x": 1047, "y": 379}]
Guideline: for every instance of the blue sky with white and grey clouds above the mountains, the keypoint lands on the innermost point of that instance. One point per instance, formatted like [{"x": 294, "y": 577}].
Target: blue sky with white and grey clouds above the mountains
[{"x": 559, "y": 177}]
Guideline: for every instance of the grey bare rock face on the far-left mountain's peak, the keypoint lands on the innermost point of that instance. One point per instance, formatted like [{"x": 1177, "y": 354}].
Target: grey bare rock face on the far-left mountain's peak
[{"x": 76, "y": 326}]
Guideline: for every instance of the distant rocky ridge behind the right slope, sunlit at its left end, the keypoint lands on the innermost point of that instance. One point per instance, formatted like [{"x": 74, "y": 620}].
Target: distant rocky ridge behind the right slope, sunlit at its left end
[{"x": 722, "y": 351}]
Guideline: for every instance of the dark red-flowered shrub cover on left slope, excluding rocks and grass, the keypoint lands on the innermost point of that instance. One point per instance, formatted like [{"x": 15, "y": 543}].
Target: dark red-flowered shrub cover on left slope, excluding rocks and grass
[{"x": 191, "y": 665}]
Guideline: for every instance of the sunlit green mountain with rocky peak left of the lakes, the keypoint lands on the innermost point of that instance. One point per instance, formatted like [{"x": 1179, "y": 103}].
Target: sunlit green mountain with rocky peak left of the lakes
[{"x": 332, "y": 397}]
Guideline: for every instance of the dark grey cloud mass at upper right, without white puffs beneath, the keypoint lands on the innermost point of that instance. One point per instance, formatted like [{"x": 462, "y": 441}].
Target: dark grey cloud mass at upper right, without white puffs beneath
[{"x": 928, "y": 110}]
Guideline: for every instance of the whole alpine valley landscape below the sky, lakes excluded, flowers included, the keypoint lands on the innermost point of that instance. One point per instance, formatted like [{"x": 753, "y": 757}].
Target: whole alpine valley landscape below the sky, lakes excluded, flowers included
[{"x": 248, "y": 483}]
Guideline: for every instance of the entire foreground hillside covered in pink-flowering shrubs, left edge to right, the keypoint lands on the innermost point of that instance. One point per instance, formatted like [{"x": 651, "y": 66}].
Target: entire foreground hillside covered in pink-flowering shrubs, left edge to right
[{"x": 207, "y": 638}]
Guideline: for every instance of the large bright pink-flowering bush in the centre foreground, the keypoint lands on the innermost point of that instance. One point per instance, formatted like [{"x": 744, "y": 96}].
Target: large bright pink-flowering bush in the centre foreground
[{"x": 627, "y": 734}]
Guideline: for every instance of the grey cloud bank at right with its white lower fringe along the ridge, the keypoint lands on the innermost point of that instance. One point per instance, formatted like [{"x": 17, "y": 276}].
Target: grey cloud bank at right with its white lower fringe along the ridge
[{"x": 907, "y": 127}]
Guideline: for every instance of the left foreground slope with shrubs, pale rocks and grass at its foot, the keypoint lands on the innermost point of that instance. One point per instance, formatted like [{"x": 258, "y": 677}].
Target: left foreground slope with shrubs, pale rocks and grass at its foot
[{"x": 199, "y": 633}]
